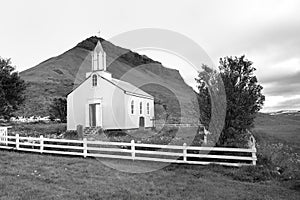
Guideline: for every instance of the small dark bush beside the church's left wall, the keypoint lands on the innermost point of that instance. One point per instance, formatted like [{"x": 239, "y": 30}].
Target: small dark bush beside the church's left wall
[{"x": 58, "y": 109}]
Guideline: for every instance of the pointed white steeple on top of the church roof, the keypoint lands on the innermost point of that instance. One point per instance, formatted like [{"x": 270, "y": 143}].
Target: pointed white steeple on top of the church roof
[{"x": 98, "y": 58}]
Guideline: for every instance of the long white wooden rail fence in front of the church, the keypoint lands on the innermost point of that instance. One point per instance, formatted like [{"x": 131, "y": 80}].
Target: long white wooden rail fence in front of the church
[{"x": 132, "y": 151}]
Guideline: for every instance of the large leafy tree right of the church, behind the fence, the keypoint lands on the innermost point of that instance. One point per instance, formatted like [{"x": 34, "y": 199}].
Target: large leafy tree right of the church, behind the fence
[{"x": 244, "y": 99}]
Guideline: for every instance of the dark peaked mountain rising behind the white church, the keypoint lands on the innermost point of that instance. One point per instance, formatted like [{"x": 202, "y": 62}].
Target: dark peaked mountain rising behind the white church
[{"x": 57, "y": 76}]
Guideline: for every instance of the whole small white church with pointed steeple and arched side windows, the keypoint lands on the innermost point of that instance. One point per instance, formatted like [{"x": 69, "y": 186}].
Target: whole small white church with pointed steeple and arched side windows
[{"x": 106, "y": 102}]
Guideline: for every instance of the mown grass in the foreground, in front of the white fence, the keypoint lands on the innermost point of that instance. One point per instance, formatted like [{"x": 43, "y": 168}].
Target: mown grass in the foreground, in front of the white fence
[{"x": 34, "y": 176}]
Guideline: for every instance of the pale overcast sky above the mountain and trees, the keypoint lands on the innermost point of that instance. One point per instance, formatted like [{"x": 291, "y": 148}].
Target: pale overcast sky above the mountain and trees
[{"x": 267, "y": 32}]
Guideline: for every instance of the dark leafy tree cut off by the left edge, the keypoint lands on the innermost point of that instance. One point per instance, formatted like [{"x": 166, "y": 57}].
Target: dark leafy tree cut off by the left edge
[{"x": 12, "y": 89}]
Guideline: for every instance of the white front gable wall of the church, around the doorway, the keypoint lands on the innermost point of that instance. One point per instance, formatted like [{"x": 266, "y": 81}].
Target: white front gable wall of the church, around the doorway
[{"x": 112, "y": 99}]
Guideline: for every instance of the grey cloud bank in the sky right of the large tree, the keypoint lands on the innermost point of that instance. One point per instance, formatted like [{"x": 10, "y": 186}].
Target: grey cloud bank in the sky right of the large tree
[{"x": 274, "y": 49}]
